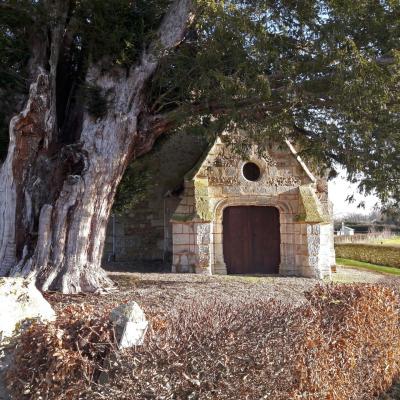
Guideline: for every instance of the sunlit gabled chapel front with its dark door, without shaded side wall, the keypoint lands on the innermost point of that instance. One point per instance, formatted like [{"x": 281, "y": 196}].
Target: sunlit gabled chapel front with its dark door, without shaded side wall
[{"x": 265, "y": 215}]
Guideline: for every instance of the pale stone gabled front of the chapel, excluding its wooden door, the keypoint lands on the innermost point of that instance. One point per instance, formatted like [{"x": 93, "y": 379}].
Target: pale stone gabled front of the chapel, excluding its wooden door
[{"x": 283, "y": 181}]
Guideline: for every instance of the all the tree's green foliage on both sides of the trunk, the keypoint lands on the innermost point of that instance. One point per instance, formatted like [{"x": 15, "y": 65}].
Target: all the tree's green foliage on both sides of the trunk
[{"x": 324, "y": 74}]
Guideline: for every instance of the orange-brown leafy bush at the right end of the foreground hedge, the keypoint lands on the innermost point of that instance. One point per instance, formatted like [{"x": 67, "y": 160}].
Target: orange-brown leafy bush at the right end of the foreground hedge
[{"x": 358, "y": 338}]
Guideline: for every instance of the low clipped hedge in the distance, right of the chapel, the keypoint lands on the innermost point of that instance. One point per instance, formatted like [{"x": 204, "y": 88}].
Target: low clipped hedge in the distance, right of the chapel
[{"x": 375, "y": 254}]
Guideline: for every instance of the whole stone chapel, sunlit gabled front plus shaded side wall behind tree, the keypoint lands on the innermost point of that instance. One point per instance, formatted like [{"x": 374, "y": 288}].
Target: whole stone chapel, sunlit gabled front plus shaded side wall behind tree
[{"x": 266, "y": 214}]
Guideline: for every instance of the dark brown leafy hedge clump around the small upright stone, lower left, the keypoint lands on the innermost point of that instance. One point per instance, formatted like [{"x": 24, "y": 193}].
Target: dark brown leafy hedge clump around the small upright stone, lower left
[{"x": 62, "y": 359}]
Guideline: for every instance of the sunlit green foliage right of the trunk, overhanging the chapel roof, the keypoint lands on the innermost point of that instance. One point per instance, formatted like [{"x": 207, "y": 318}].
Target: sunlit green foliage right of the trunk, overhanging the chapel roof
[{"x": 310, "y": 71}]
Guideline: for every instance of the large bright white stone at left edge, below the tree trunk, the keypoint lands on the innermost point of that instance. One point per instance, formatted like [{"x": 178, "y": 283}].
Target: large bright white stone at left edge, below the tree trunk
[{"x": 20, "y": 300}]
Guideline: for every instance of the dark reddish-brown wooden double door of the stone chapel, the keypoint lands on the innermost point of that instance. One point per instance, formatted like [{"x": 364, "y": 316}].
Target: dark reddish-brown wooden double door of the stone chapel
[{"x": 251, "y": 240}]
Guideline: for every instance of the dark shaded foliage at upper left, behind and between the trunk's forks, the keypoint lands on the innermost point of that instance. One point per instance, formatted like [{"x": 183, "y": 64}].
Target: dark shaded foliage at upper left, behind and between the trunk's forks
[{"x": 114, "y": 32}]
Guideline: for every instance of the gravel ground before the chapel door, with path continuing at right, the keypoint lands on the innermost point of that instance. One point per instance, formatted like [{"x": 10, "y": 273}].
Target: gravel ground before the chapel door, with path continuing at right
[{"x": 158, "y": 292}]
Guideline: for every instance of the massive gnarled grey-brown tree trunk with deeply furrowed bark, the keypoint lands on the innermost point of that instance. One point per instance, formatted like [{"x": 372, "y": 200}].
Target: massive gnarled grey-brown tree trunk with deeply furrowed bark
[{"x": 57, "y": 190}]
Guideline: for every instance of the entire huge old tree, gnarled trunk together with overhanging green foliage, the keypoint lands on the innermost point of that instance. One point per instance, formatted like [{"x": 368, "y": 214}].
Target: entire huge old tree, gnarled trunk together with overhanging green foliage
[{"x": 107, "y": 78}]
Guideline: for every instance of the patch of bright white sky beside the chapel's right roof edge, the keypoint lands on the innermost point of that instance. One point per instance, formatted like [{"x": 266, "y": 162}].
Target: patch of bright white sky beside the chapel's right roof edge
[{"x": 339, "y": 189}]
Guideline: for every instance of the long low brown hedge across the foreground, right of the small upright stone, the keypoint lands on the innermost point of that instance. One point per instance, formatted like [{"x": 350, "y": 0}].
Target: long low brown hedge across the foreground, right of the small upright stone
[{"x": 343, "y": 345}]
